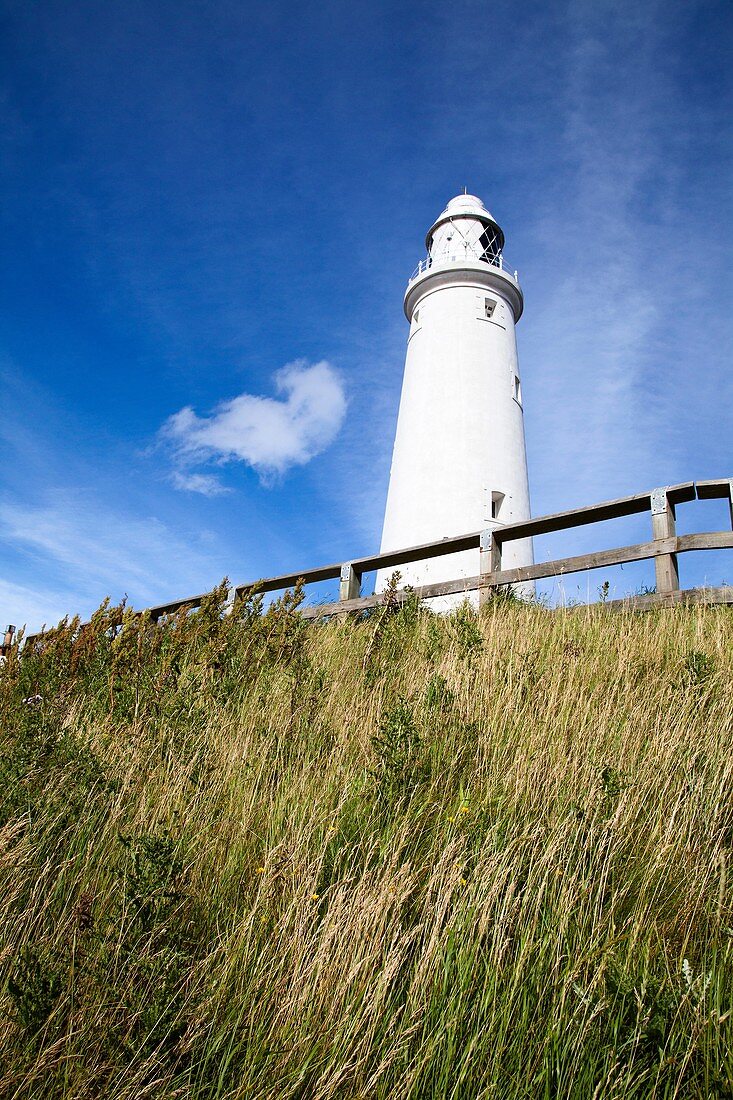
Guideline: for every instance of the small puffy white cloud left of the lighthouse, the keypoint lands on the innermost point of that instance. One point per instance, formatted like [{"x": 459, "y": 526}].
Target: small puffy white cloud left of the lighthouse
[{"x": 269, "y": 434}]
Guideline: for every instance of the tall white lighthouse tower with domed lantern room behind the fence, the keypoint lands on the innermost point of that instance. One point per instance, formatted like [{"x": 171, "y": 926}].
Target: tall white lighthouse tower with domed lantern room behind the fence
[{"x": 460, "y": 463}]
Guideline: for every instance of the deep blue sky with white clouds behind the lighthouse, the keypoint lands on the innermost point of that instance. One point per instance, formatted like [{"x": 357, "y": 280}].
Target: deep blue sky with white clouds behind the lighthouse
[{"x": 211, "y": 208}]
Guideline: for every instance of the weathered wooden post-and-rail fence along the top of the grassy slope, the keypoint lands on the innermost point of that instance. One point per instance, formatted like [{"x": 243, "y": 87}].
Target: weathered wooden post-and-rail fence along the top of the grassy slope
[{"x": 663, "y": 548}]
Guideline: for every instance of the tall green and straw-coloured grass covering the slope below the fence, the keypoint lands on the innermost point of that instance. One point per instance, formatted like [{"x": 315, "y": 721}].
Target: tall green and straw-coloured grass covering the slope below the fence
[{"x": 406, "y": 857}]
